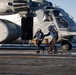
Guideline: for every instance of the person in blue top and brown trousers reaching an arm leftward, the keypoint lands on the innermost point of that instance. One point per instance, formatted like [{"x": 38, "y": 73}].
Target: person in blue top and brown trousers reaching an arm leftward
[{"x": 54, "y": 34}]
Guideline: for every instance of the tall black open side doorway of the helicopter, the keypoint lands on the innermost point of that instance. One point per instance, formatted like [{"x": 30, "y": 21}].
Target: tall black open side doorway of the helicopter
[{"x": 27, "y": 28}]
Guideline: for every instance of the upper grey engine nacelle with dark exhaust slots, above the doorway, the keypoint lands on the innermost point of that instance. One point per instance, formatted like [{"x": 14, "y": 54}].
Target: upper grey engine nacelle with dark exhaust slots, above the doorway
[{"x": 14, "y": 6}]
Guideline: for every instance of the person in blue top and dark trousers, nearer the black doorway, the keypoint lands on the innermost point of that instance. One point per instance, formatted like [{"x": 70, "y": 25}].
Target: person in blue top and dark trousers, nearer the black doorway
[{"x": 39, "y": 35}]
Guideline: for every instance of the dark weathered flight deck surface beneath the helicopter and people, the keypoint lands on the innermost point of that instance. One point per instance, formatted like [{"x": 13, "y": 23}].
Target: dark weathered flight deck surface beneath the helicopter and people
[{"x": 28, "y": 62}]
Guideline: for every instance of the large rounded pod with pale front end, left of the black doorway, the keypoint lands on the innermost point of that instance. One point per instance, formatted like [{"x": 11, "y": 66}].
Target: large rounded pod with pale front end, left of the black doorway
[{"x": 8, "y": 31}]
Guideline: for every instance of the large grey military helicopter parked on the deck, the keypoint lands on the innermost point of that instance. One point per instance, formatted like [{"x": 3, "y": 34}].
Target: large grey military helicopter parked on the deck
[{"x": 26, "y": 16}]
